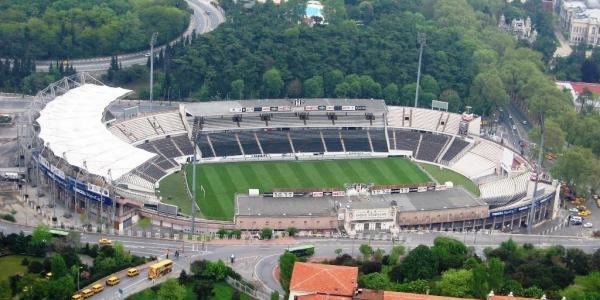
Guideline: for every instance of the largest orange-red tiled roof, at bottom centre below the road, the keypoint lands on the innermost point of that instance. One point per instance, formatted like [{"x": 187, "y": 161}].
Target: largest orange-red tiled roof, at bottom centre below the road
[{"x": 324, "y": 279}]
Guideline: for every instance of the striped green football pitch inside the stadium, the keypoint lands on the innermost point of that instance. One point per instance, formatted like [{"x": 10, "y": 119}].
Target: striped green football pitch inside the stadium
[{"x": 221, "y": 181}]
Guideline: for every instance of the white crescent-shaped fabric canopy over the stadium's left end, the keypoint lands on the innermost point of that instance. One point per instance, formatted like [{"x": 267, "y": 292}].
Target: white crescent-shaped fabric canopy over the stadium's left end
[{"x": 71, "y": 126}]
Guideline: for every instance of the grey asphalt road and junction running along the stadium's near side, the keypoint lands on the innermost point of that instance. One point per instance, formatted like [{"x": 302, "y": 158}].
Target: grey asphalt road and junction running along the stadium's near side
[{"x": 263, "y": 257}]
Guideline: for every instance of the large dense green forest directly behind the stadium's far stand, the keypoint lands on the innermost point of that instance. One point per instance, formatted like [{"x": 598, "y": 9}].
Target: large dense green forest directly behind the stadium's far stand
[{"x": 369, "y": 49}]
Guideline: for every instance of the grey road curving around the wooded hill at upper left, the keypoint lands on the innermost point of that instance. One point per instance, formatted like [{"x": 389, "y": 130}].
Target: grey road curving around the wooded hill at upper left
[{"x": 205, "y": 18}]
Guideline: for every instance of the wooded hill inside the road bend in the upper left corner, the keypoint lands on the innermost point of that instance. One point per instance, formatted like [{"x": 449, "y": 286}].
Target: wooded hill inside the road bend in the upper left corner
[{"x": 66, "y": 29}]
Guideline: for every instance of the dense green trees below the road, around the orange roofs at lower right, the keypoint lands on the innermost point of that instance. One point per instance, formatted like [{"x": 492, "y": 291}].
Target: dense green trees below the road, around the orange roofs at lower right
[{"x": 450, "y": 268}]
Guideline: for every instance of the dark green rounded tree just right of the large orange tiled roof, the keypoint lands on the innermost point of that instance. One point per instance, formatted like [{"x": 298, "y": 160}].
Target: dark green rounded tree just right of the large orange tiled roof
[{"x": 420, "y": 263}]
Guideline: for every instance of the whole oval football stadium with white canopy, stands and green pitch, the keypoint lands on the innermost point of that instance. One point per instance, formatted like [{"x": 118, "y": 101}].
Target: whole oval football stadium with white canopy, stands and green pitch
[{"x": 319, "y": 165}]
